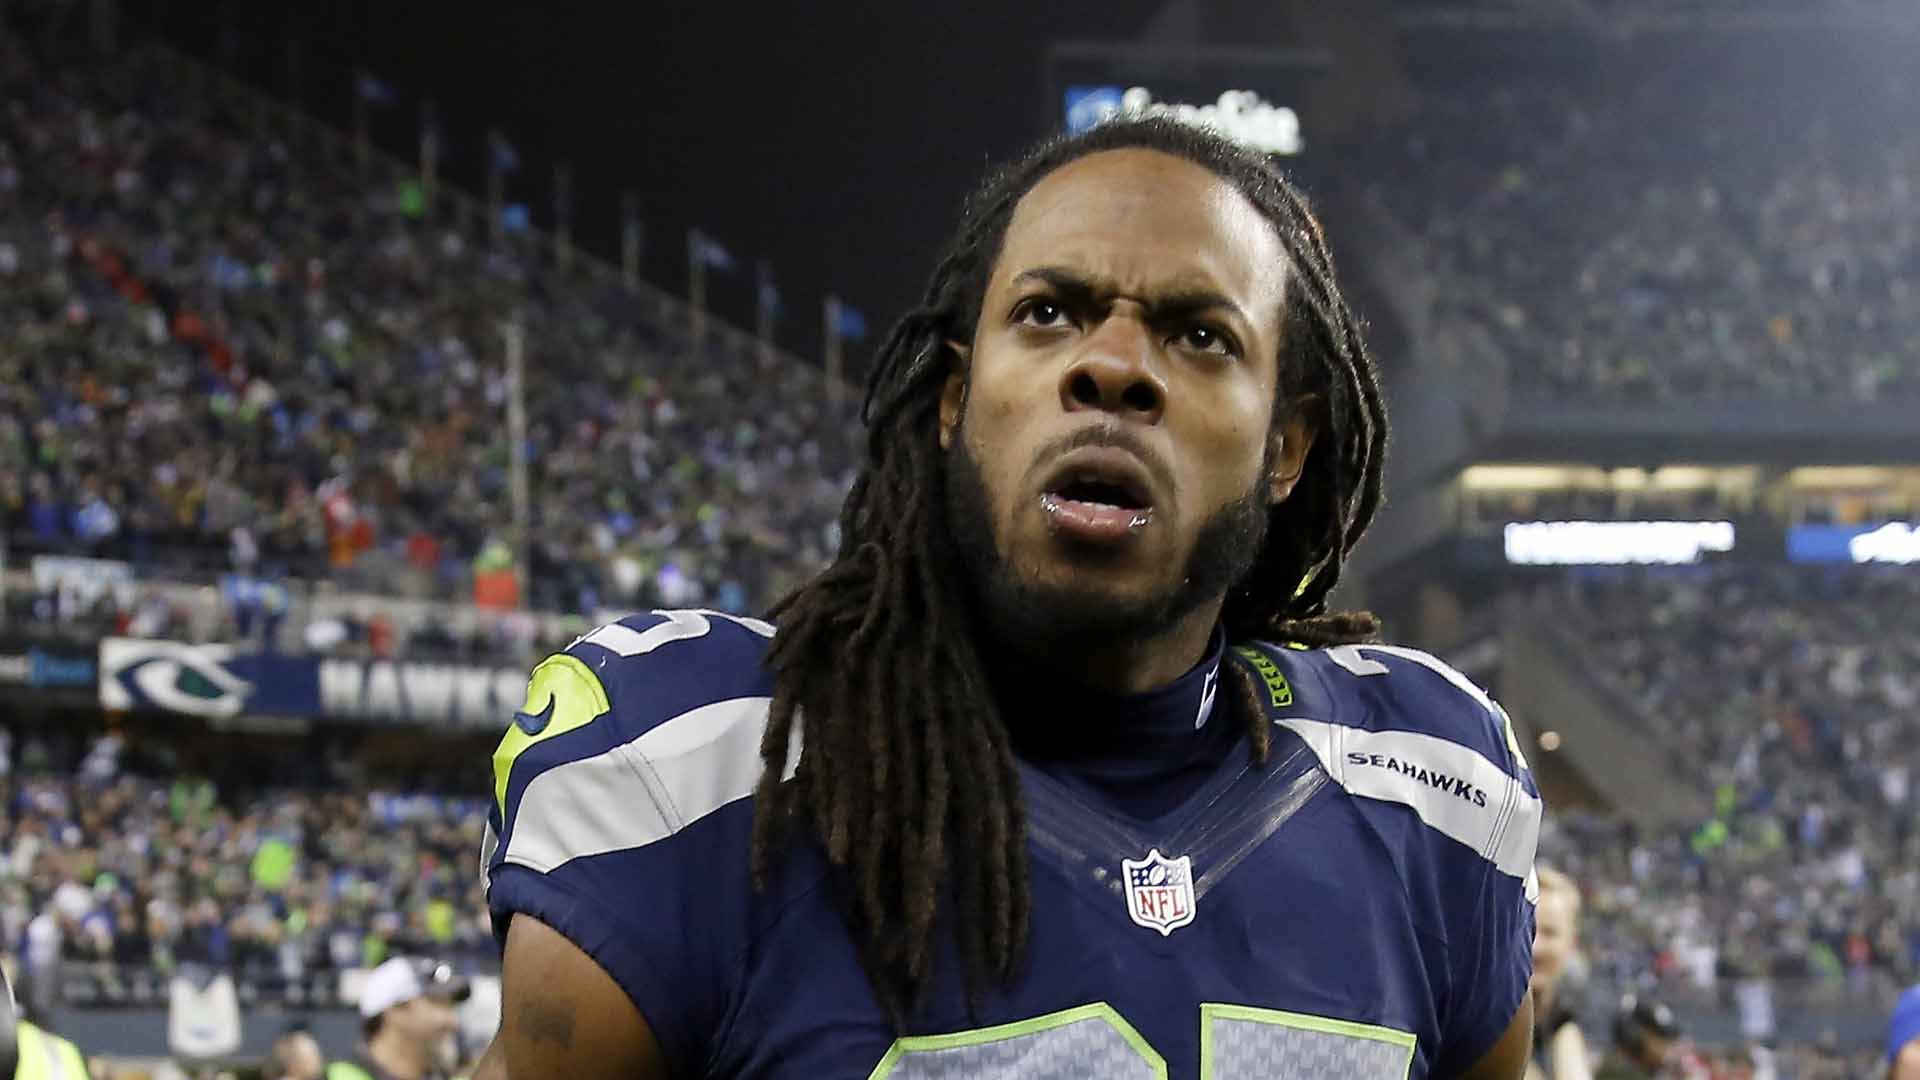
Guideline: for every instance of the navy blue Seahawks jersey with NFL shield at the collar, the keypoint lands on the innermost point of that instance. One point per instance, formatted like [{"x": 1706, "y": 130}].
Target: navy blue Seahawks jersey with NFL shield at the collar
[{"x": 1356, "y": 908}]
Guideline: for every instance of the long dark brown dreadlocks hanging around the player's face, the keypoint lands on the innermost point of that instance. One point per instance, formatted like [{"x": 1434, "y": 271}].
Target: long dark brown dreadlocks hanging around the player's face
[{"x": 905, "y": 756}]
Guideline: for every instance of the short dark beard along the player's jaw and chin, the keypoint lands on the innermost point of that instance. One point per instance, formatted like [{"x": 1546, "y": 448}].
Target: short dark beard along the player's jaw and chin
[{"x": 1024, "y": 610}]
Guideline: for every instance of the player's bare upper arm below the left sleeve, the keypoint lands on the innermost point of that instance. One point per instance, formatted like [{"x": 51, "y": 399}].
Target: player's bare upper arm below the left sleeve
[{"x": 562, "y": 1016}]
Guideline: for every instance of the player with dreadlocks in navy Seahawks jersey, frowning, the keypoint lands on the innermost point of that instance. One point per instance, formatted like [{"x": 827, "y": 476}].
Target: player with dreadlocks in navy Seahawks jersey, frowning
[{"x": 1063, "y": 768}]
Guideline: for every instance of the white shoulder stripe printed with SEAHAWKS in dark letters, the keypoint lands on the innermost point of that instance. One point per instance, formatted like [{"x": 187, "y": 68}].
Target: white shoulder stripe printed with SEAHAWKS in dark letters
[{"x": 1454, "y": 789}]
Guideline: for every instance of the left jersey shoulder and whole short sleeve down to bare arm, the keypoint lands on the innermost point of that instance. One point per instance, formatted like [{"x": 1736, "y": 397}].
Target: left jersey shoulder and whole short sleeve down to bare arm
[{"x": 623, "y": 810}]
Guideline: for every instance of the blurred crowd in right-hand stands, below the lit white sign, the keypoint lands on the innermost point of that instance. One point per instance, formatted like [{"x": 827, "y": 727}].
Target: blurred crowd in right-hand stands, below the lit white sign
[{"x": 1796, "y": 697}]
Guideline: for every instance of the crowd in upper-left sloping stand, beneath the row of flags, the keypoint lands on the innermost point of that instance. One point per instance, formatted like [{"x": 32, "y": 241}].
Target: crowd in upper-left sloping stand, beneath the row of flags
[{"x": 222, "y": 351}]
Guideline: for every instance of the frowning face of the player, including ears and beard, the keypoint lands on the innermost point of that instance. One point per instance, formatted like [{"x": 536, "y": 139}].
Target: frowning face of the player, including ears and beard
[{"x": 1111, "y": 428}]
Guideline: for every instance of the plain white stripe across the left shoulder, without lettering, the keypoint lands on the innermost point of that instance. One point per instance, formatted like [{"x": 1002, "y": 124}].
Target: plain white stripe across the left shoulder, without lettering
[{"x": 642, "y": 791}]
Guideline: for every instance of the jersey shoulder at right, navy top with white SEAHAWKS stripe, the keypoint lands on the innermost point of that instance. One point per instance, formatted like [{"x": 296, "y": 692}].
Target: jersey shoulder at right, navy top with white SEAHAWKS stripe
[{"x": 1397, "y": 725}]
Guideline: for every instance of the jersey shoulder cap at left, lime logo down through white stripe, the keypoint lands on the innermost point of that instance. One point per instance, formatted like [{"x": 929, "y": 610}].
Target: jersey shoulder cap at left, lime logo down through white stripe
[{"x": 660, "y": 716}]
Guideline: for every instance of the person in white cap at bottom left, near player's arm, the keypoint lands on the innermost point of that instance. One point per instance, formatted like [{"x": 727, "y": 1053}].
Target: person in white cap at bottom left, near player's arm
[{"x": 408, "y": 1021}]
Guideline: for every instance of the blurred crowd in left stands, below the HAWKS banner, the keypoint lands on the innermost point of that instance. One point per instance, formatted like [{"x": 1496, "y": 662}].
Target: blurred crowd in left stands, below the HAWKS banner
[{"x": 116, "y": 879}]
